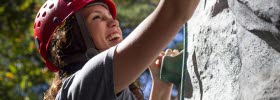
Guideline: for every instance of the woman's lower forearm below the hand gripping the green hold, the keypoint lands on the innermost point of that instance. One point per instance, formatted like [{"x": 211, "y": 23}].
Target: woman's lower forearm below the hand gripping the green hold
[{"x": 161, "y": 91}]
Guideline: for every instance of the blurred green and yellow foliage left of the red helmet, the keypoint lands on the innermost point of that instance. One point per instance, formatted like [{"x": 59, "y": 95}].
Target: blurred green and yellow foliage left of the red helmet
[{"x": 22, "y": 72}]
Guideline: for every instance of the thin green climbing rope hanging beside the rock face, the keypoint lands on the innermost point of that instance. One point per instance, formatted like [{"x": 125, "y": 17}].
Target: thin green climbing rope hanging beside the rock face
[{"x": 184, "y": 65}]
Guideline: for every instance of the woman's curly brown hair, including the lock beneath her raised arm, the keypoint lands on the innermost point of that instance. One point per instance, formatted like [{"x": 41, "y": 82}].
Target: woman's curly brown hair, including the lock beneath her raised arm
[{"x": 64, "y": 44}]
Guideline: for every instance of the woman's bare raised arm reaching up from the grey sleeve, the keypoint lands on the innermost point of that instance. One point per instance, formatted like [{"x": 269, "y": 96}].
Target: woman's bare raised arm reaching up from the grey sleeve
[{"x": 135, "y": 53}]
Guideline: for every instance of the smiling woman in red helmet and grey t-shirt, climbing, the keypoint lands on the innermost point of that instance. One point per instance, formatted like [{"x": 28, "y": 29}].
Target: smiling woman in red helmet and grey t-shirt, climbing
[{"x": 78, "y": 40}]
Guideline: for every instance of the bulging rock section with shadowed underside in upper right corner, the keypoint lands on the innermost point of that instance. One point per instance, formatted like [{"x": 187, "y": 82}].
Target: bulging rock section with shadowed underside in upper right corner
[{"x": 260, "y": 17}]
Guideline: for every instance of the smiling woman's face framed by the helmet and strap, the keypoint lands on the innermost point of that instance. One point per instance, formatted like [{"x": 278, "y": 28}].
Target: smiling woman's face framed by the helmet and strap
[{"x": 105, "y": 31}]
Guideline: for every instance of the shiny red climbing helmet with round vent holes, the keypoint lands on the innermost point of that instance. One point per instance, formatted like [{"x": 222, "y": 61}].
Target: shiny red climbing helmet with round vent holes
[{"x": 51, "y": 15}]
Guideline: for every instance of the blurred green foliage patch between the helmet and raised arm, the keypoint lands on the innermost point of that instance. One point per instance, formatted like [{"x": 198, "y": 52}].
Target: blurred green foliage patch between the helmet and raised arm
[{"x": 132, "y": 12}]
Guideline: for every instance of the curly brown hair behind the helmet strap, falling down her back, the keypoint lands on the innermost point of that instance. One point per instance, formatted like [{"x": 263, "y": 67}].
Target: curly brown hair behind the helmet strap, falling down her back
[{"x": 60, "y": 41}]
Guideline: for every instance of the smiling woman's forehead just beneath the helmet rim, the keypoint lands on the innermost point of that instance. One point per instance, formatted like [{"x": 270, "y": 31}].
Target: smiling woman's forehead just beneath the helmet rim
[{"x": 95, "y": 9}]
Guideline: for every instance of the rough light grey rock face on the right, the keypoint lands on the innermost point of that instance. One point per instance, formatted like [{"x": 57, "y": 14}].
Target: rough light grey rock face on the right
[{"x": 234, "y": 48}]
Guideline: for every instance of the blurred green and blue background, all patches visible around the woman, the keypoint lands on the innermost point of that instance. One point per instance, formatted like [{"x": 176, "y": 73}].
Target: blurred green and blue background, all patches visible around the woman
[{"x": 23, "y": 74}]
